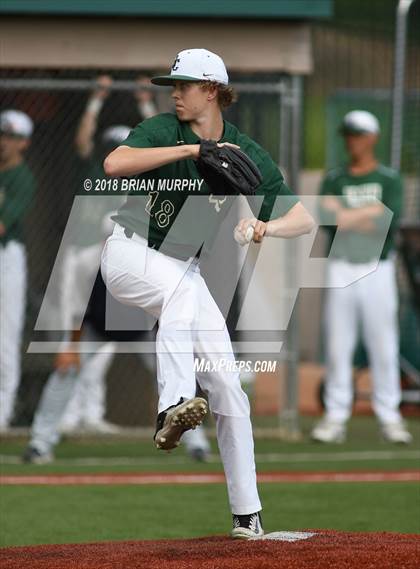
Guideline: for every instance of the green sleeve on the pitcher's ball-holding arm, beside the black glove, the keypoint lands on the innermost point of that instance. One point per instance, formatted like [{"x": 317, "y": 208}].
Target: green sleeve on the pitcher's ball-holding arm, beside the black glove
[{"x": 278, "y": 197}]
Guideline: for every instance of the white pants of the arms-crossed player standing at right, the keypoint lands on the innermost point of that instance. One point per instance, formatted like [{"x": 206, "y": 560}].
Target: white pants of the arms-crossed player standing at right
[{"x": 371, "y": 304}]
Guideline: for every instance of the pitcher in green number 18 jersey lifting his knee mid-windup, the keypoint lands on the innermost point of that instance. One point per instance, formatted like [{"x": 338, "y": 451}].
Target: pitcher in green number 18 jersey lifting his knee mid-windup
[{"x": 143, "y": 266}]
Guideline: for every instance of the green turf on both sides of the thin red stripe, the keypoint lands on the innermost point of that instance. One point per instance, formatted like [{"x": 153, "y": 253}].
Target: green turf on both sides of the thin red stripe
[{"x": 36, "y": 514}]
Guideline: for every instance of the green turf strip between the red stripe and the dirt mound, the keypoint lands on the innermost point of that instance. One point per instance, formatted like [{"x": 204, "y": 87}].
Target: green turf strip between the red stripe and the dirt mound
[{"x": 38, "y": 515}]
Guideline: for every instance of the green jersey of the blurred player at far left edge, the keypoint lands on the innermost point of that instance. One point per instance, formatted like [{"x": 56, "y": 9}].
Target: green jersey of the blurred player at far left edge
[{"x": 17, "y": 186}]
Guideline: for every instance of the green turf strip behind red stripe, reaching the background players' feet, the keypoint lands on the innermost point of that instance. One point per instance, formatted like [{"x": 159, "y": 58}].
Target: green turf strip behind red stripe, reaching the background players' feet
[{"x": 142, "y": 455}]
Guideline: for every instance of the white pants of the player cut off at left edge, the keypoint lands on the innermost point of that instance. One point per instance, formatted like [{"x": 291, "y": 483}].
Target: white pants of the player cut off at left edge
[{"x": 12, "y": 318}]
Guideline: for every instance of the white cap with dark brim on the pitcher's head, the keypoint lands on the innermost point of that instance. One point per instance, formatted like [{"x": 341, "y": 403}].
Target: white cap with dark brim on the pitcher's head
[{"x": 195, "y": 65}]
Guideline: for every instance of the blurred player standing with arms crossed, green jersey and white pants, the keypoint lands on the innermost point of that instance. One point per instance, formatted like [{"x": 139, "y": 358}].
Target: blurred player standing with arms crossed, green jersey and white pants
[{"x": 370, "y": 302}]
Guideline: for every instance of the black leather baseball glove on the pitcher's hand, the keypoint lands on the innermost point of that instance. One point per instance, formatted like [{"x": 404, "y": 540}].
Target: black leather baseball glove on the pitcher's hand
[{"x": 227, "y": 170}]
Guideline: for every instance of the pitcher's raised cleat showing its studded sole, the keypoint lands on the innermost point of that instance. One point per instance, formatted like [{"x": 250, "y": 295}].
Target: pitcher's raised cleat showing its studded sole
[{"x": 172, "y": 423}]
